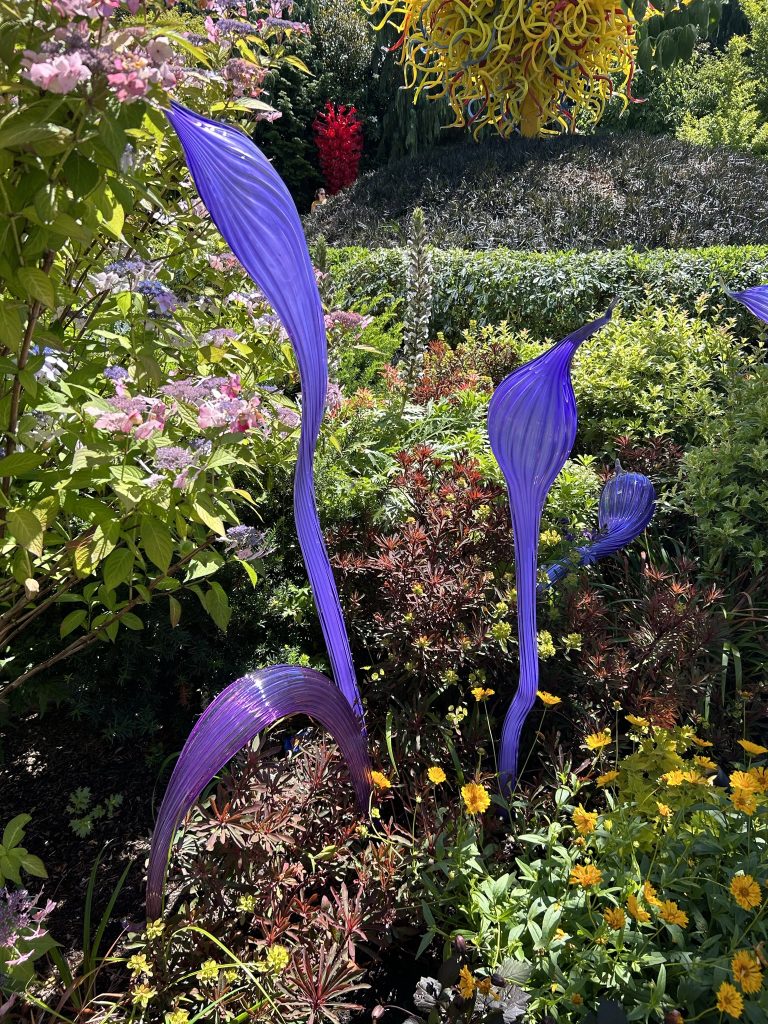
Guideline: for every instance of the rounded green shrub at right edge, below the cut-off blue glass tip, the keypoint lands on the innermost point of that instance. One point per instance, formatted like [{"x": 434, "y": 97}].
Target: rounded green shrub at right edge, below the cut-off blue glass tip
[{"x": 727, "y": 487}]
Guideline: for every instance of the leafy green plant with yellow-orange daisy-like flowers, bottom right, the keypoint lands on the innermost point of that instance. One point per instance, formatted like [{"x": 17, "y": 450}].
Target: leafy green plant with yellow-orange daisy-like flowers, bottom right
[{"x": 655, "y": 897}]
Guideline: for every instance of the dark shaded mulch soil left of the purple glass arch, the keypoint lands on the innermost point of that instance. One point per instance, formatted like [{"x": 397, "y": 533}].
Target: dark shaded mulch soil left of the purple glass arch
[{"x": 42, "y": 761}]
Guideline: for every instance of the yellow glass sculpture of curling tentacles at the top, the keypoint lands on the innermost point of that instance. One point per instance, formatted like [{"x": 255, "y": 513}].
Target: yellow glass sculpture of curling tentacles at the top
[{"x": 533, "y": 65}]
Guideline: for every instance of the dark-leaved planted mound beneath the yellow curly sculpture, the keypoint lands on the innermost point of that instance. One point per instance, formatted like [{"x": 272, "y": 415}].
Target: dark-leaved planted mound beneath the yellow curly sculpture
[{"x": 581, "y": 193}]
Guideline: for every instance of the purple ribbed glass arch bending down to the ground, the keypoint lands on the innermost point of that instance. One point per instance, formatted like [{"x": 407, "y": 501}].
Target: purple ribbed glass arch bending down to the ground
[{"x": 237, "y": 715}]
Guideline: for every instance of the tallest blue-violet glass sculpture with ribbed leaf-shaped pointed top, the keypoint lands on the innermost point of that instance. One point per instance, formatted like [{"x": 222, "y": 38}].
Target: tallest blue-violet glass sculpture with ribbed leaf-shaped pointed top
[{"x": 252, "y": 208}]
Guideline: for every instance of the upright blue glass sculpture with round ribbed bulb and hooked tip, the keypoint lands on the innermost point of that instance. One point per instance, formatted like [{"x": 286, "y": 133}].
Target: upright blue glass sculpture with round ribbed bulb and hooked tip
[{"x": 532, "y": 428}]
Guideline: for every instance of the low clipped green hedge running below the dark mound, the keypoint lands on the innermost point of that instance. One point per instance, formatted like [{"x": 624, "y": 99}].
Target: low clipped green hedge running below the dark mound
[{"x": 551, "y": 294}]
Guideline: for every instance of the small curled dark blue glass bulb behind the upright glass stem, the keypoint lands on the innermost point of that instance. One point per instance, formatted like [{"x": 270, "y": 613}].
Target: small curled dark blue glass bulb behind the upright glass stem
[{"x": 627, "y": 506}]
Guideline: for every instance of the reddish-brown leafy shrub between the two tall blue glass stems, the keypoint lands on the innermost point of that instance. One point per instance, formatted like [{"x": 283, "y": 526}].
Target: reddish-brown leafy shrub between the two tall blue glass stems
[{"x": 428, "y": 593}]
